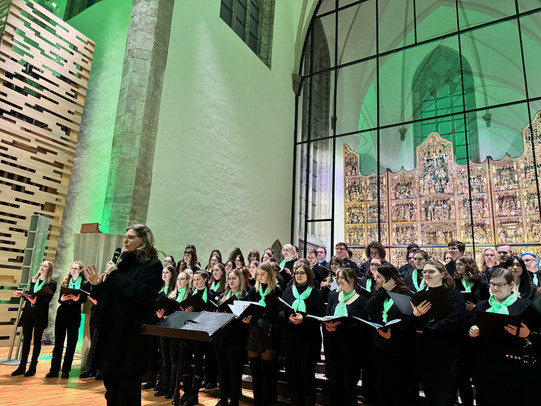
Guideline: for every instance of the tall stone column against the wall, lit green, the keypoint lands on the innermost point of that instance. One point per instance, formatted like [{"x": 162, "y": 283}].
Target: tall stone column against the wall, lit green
[{"x": 134, "y": 140}]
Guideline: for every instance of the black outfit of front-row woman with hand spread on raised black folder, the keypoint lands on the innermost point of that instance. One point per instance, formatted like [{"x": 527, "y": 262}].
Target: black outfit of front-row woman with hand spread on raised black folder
[{"x": 437, "y": 352}]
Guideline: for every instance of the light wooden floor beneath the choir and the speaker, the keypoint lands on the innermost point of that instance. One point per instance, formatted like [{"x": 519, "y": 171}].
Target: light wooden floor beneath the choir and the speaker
[{"x": 37, "y": 390}]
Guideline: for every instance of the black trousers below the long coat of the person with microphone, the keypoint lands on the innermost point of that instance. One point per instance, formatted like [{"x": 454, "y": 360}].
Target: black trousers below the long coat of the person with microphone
[{"x": 122, "y": 390}]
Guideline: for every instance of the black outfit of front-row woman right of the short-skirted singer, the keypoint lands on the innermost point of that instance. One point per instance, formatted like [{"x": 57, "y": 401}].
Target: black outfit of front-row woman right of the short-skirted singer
[{"x": 301, "y": 344}]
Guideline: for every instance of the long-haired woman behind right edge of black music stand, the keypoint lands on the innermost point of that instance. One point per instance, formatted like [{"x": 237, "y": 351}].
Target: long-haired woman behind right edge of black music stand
[{"x": 230, "y": 345}]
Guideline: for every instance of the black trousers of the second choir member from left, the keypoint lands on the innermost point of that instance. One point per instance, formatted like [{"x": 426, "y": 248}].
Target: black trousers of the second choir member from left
[{"x": 64, "y": 326}]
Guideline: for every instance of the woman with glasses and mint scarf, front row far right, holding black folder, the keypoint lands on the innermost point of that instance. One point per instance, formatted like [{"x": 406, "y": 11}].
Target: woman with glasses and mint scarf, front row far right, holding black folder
[{"x": 501, "y": 378}]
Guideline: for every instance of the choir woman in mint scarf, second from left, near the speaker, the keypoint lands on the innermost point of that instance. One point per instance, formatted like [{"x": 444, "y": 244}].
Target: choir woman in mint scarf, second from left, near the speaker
[{"x": 68, "y": 320}]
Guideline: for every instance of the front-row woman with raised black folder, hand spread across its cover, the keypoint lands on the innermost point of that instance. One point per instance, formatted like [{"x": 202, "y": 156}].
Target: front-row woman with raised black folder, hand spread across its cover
[{"x": 438, "y": 339}]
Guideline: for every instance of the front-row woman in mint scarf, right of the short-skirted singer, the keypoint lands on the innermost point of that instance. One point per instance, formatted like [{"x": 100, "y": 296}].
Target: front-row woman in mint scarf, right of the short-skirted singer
[{"x": 301, "y": 337}]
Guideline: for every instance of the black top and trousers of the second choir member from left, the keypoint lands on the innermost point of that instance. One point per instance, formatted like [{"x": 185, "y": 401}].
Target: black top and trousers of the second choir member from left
[{"x": 67, "y": 322}]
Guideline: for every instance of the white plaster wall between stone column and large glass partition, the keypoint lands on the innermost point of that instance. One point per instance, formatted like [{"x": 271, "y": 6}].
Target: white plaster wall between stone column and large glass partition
[{"x": 224, "y": 154}]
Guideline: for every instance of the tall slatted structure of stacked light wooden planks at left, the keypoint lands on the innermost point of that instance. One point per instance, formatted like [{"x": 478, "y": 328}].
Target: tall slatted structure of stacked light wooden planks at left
[{"x": 44, "y": 69}]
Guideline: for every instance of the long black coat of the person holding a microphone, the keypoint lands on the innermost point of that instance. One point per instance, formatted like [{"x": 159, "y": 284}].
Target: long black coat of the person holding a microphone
[{"x": 126, "y": 302}]
